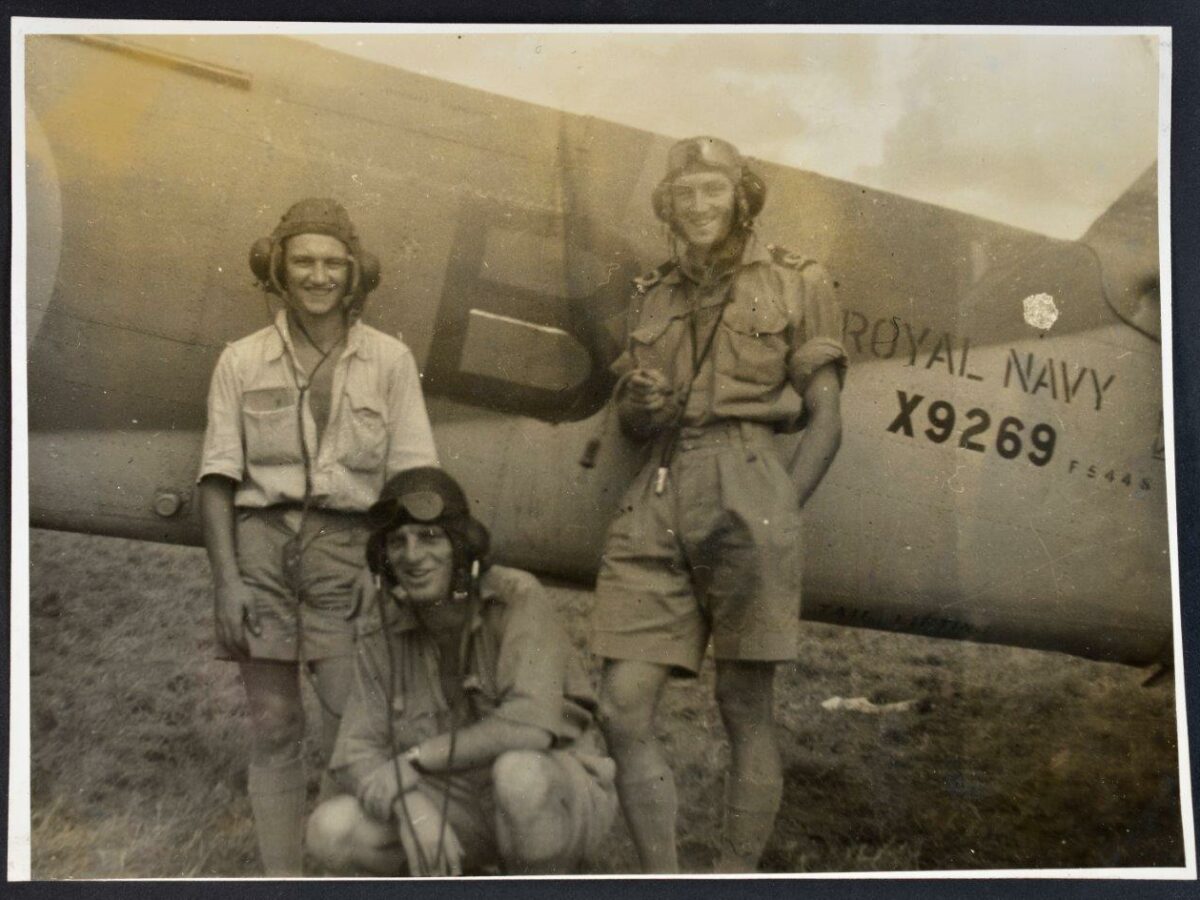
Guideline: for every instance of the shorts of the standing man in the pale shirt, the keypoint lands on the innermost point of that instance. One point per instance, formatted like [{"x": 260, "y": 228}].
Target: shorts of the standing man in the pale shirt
[{"x": 304, "y": 613}]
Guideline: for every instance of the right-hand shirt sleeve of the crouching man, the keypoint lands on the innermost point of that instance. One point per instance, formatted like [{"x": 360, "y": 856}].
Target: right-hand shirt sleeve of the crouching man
[{"x": 531, "y": 670}]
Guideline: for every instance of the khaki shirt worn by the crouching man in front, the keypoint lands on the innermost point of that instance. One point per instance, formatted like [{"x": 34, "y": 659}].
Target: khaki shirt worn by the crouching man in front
[{"x": 521, "y": 667}]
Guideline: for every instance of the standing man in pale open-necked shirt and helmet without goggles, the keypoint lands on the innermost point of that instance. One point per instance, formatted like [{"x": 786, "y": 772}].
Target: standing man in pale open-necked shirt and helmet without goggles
[{"x": 308, "y": 418}]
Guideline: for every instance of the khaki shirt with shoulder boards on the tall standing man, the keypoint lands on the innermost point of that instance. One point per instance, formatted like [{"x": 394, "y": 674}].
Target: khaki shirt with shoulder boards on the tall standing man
[{"x": 781, "y": 326}]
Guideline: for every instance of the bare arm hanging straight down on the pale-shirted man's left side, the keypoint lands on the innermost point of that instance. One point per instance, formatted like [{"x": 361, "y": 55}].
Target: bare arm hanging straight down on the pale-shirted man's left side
[{"x": 233, "y": 607}]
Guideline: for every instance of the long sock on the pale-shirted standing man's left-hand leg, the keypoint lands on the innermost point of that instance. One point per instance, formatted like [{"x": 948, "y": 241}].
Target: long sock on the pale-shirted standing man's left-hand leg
[{"x": 278, "y": 800}]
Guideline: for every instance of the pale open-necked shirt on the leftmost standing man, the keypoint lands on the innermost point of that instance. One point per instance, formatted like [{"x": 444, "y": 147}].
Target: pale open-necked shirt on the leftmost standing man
[{"x": 377, "y": 423}]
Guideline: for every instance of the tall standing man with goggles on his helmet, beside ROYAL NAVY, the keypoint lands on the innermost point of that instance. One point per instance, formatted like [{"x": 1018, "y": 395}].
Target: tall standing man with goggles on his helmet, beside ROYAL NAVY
[{"x": 729, "y": 344}]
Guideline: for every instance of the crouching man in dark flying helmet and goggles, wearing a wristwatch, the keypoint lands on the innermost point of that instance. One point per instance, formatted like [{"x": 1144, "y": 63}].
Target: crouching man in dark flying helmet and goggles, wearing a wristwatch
[{"x": 469, "y": 740}]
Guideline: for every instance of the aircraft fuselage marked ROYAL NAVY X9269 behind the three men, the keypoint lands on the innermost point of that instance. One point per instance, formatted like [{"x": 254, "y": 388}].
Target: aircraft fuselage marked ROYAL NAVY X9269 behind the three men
[{"x": 997, "y": 482}]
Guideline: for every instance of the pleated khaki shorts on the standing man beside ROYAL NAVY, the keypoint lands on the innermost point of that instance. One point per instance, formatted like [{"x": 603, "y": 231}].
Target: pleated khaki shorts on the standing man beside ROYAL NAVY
[{"x": 717, "y": 554}]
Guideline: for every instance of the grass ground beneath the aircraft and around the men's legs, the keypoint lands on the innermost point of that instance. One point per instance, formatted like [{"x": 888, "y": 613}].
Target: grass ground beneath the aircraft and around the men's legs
[{"x": 1010, "y": 759}]
